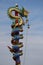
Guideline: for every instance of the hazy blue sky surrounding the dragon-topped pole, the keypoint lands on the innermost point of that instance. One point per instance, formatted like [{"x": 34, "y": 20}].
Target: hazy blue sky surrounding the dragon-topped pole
[{"x": 33, "y": 52}]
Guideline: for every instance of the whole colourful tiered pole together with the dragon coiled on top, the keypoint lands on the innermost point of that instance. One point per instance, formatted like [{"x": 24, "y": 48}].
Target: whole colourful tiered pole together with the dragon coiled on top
[{"x": 17, "y": 26}]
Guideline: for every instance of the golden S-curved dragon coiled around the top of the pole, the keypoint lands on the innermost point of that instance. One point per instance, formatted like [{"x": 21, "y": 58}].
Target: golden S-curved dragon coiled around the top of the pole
[{"x": 24, "y": 14}]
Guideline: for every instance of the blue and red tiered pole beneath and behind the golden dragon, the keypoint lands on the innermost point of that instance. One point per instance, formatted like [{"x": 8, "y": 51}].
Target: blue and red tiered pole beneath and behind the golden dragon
[{"x": 15, "y": 41}]
